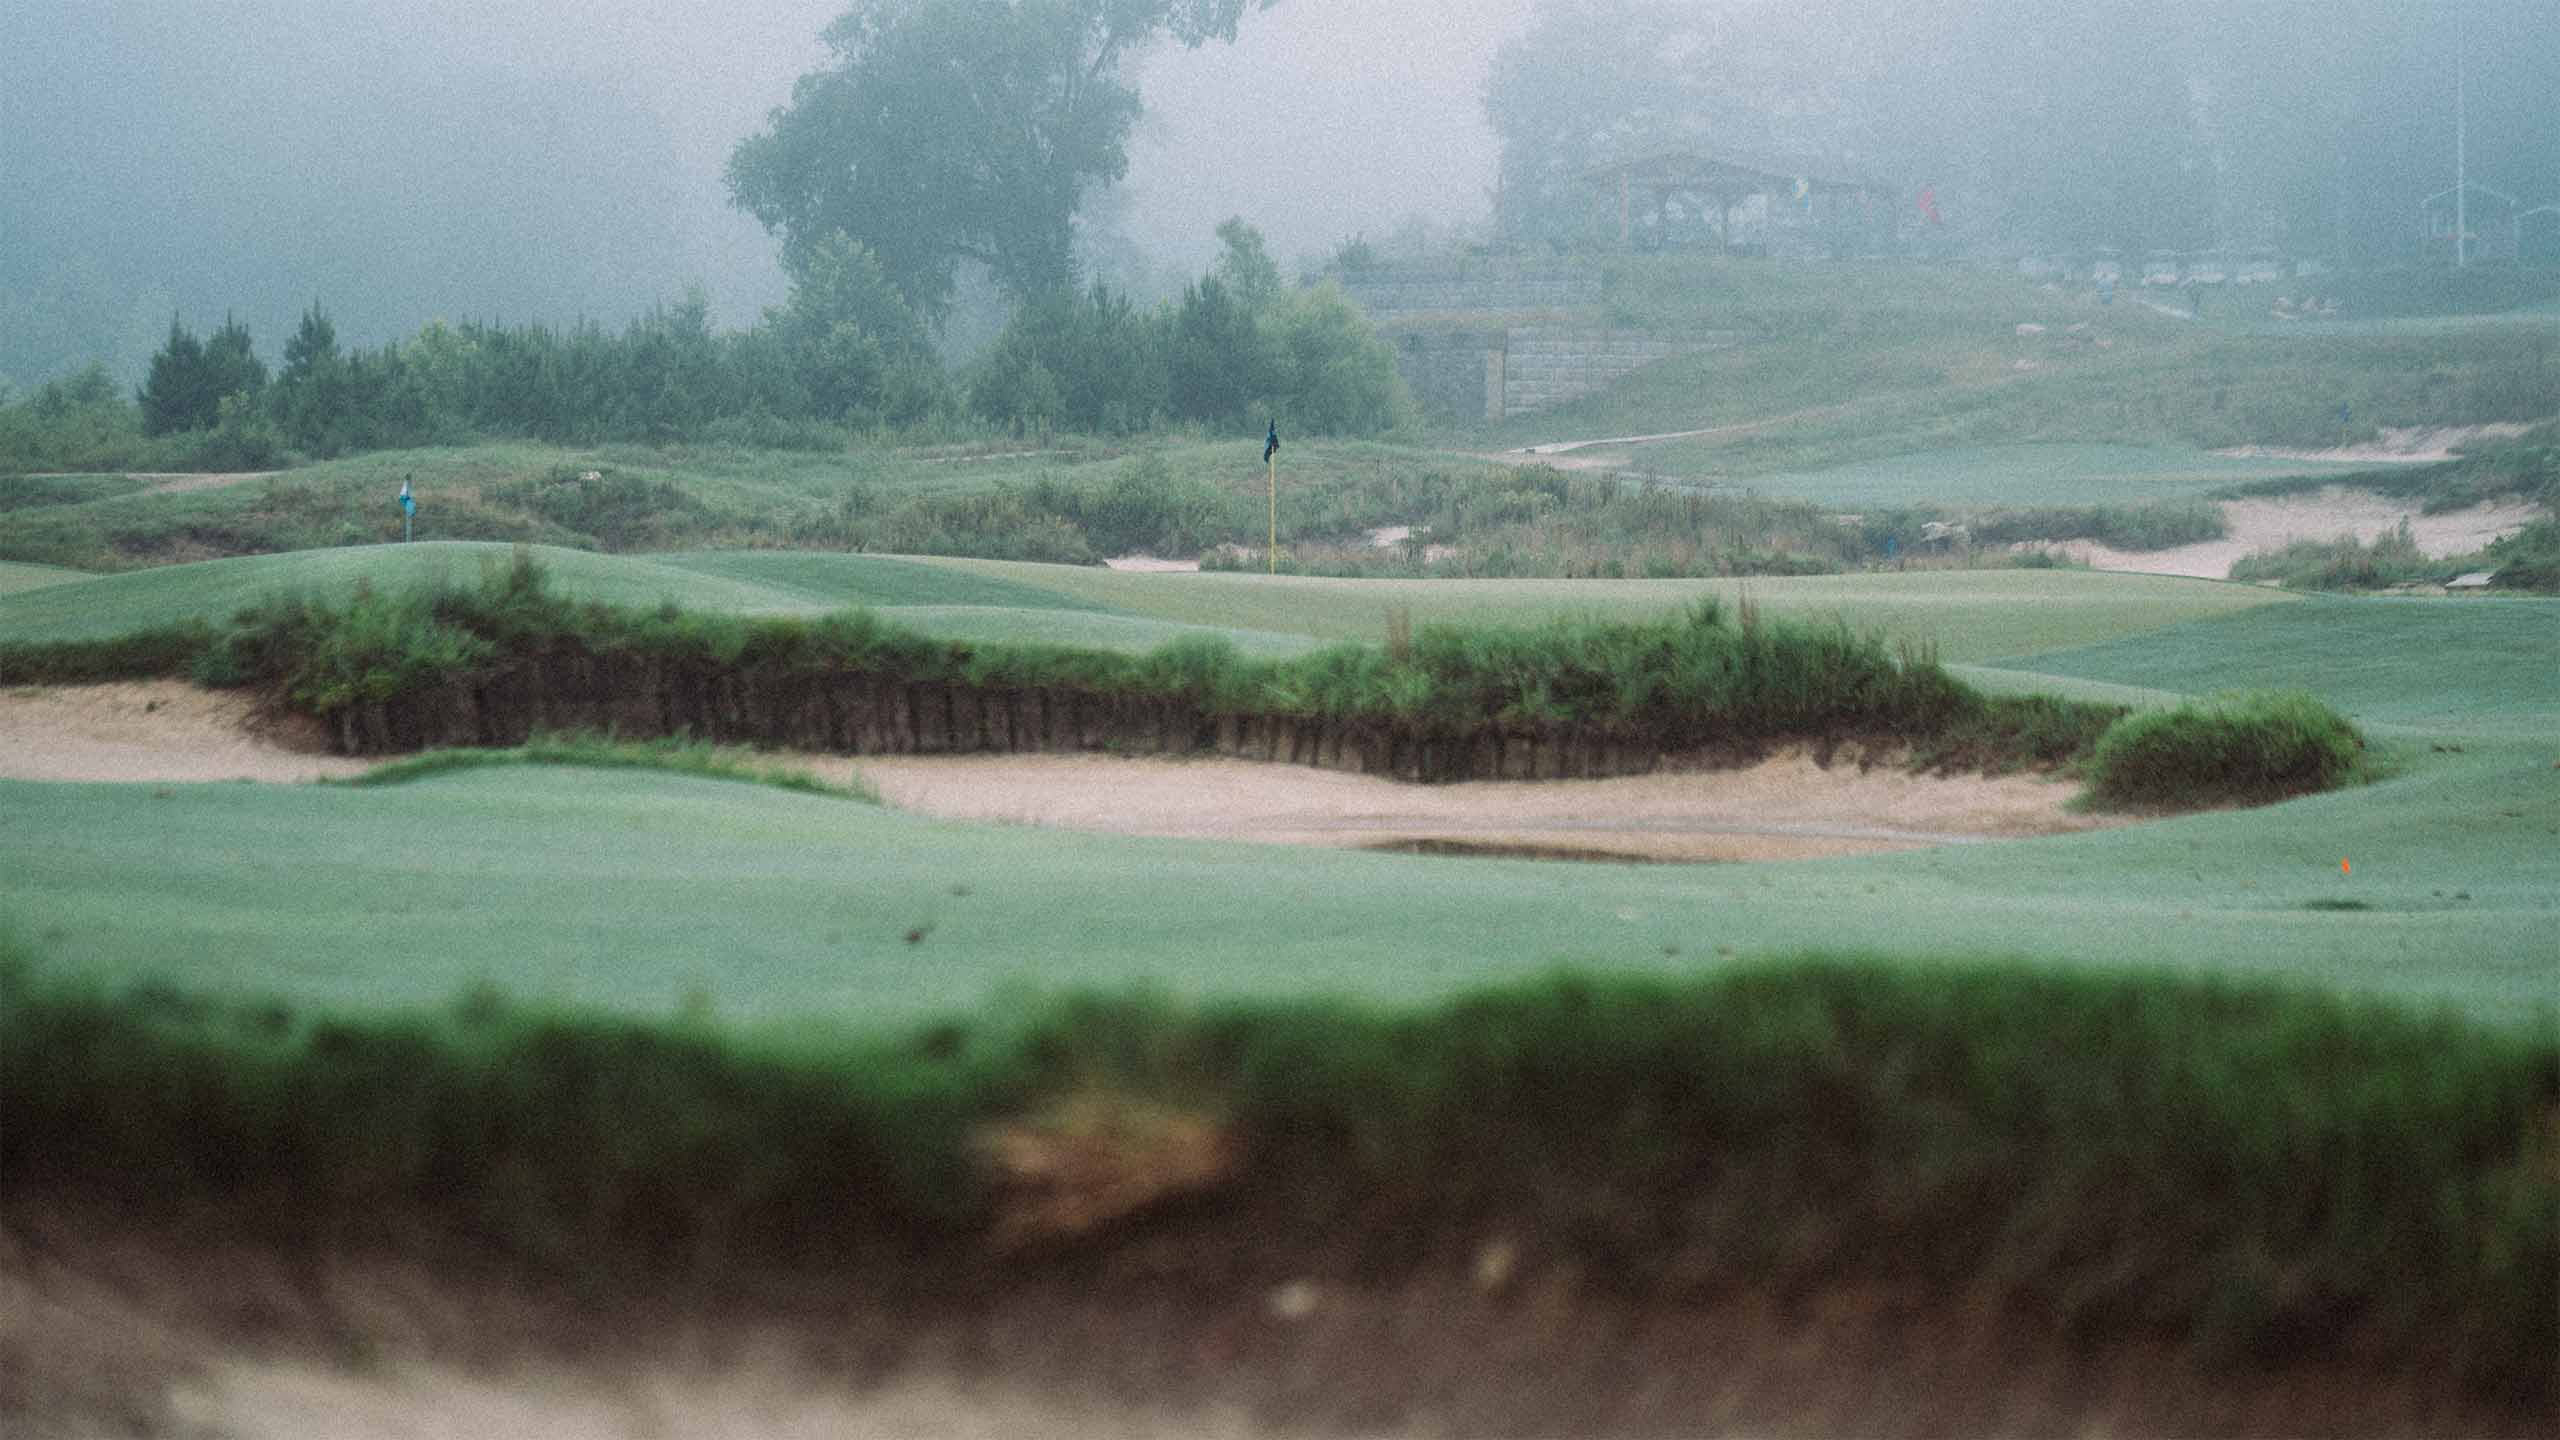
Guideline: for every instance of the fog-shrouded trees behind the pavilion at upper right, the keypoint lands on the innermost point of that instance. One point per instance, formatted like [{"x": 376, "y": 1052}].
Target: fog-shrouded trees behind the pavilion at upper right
[{"x": 2134, "y": 124}]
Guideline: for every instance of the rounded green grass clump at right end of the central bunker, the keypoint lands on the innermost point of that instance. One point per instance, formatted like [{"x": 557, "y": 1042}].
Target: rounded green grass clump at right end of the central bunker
[{"x": 2236, "y": 747}]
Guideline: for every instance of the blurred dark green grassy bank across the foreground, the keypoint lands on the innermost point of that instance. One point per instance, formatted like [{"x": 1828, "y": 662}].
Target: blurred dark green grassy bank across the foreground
[{"x": 2259, "y": 1175}]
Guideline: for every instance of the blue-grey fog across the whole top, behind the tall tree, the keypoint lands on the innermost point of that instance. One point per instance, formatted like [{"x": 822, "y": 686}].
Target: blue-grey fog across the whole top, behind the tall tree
[{"x": 557, "y": 160}]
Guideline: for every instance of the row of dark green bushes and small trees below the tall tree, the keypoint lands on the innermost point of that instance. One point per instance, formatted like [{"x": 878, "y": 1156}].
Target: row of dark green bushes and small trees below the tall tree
[{"x": 846, "y": 355}]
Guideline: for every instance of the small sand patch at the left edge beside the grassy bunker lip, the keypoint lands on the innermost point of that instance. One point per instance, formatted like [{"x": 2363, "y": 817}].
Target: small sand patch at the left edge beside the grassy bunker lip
[{"x": 157, "y": 732}]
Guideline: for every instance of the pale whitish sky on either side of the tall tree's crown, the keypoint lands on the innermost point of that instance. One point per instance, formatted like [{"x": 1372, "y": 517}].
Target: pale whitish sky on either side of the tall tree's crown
[{"x": 1325, "y": 119}]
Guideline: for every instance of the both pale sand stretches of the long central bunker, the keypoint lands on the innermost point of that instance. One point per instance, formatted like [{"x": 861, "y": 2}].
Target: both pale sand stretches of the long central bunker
[{"x": 1783, "y": 808}]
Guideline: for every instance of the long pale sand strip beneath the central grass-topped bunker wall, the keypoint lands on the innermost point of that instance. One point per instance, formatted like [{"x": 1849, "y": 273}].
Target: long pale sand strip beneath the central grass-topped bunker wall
[{"x": 1783, "y": 808}]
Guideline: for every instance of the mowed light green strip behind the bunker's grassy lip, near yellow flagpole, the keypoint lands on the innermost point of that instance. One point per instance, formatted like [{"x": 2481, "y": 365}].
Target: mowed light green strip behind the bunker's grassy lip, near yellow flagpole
[{"x": 1970, "y": 616}]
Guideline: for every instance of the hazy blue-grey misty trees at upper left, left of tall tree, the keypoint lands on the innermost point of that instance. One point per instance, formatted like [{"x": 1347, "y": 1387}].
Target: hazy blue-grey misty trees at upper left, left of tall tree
[{"x": 211, "y": 158}]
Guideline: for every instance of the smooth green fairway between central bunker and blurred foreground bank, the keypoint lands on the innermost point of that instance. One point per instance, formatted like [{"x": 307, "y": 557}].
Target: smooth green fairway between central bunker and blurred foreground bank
[{"x": 644, "y": 890}]
